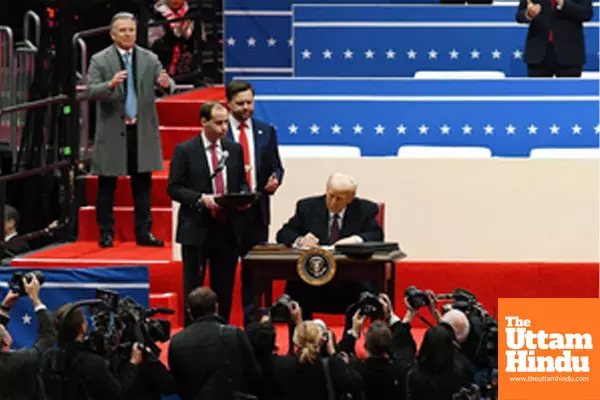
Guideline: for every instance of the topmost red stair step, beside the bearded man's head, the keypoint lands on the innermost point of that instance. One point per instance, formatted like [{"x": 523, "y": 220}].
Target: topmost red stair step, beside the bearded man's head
[{"x": 184, "y": 109}]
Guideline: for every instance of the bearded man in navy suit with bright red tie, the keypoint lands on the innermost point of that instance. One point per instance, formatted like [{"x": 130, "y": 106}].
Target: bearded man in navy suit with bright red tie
[{"x": 264, "y": 174}]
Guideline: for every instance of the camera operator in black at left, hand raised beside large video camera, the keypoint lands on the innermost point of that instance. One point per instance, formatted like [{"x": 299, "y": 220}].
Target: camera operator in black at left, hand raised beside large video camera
[{"x": 84, "y": 374}]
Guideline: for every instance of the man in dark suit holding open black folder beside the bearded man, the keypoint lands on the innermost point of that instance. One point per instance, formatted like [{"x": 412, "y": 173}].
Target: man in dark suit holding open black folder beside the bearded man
[{"x": 202, "y": 169}]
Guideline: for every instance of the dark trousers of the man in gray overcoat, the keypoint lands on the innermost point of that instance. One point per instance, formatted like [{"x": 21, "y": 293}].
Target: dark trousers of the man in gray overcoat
[{"x": 141, "y": 189}]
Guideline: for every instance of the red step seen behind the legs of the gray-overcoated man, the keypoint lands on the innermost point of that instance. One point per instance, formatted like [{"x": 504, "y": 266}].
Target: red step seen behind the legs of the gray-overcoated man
[{"x": 123, "y": 197}]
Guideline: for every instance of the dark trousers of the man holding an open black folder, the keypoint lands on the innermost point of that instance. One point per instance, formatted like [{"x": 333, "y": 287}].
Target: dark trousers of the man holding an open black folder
[{"x": 221, "y": 251}]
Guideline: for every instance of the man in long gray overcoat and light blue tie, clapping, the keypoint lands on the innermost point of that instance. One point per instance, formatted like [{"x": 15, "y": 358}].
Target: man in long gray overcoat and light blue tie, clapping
[{"x": 124, "y": 79}]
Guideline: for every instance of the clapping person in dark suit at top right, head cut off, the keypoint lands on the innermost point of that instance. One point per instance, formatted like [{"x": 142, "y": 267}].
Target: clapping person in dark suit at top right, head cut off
[{"x": 555, "y": 41}]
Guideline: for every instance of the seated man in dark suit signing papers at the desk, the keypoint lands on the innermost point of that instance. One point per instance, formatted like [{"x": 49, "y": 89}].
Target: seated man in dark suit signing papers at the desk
[{"x": 338, "y": 217}]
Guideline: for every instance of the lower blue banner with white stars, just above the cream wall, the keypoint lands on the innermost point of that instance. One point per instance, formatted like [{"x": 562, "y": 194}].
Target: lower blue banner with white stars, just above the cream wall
[{"x": 509, "y": 116}]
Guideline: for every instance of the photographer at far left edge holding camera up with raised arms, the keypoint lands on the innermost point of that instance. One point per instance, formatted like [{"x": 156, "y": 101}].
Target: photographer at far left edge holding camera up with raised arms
[{"x": 19, "y": 370}]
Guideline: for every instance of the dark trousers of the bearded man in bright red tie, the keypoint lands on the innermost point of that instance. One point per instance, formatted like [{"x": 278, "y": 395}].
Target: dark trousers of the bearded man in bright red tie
[{"x": 255, "y": 232}]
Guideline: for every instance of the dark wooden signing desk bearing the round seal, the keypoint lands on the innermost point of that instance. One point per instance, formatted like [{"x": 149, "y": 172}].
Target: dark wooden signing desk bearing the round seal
[{"x": 279, "y": 263}]
